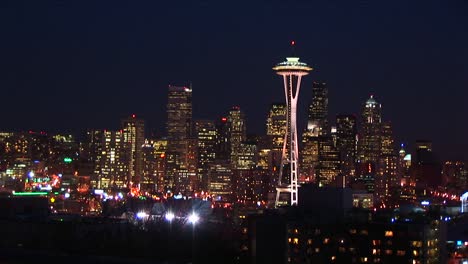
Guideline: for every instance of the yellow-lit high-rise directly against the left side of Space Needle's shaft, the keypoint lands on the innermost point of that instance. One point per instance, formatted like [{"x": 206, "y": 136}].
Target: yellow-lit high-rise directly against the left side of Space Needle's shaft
[{"x": 276, "y": 125}]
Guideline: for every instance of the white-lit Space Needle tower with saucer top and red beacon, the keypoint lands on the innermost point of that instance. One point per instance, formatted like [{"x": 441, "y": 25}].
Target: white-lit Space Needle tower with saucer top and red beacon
[{"x": 292, "y": 71}]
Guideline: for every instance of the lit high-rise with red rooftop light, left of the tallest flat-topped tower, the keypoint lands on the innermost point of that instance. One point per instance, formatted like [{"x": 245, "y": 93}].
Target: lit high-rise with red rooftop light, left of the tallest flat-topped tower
[{"x": 133, "y": 130}]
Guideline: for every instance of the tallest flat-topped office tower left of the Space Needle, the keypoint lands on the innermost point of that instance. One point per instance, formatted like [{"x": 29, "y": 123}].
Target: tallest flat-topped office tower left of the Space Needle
[{"x": 179, "y": 123}]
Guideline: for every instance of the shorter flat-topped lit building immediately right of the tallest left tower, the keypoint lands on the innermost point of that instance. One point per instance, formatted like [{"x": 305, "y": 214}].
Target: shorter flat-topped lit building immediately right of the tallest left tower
[{"x": 205, "y": 132}]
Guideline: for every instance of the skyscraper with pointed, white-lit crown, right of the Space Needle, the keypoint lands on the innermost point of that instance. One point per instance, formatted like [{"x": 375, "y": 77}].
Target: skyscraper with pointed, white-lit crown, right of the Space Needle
[{"x": 370, "y": 138}]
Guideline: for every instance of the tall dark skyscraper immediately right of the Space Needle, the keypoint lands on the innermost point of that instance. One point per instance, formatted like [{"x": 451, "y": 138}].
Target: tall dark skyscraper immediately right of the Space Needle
[{"x": 317, "y": 124}]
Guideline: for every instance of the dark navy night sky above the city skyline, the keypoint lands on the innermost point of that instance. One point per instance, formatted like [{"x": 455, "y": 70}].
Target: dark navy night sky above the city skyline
[{"x": 71, "y": 65}]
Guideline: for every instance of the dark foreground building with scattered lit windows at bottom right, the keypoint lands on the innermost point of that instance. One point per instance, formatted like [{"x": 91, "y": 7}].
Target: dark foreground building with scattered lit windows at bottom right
[{"x": 321, "y": 234}]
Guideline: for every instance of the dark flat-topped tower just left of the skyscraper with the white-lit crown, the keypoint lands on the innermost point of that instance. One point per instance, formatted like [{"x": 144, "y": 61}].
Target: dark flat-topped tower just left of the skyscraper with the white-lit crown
[{"x": 346, "y": 144}]
